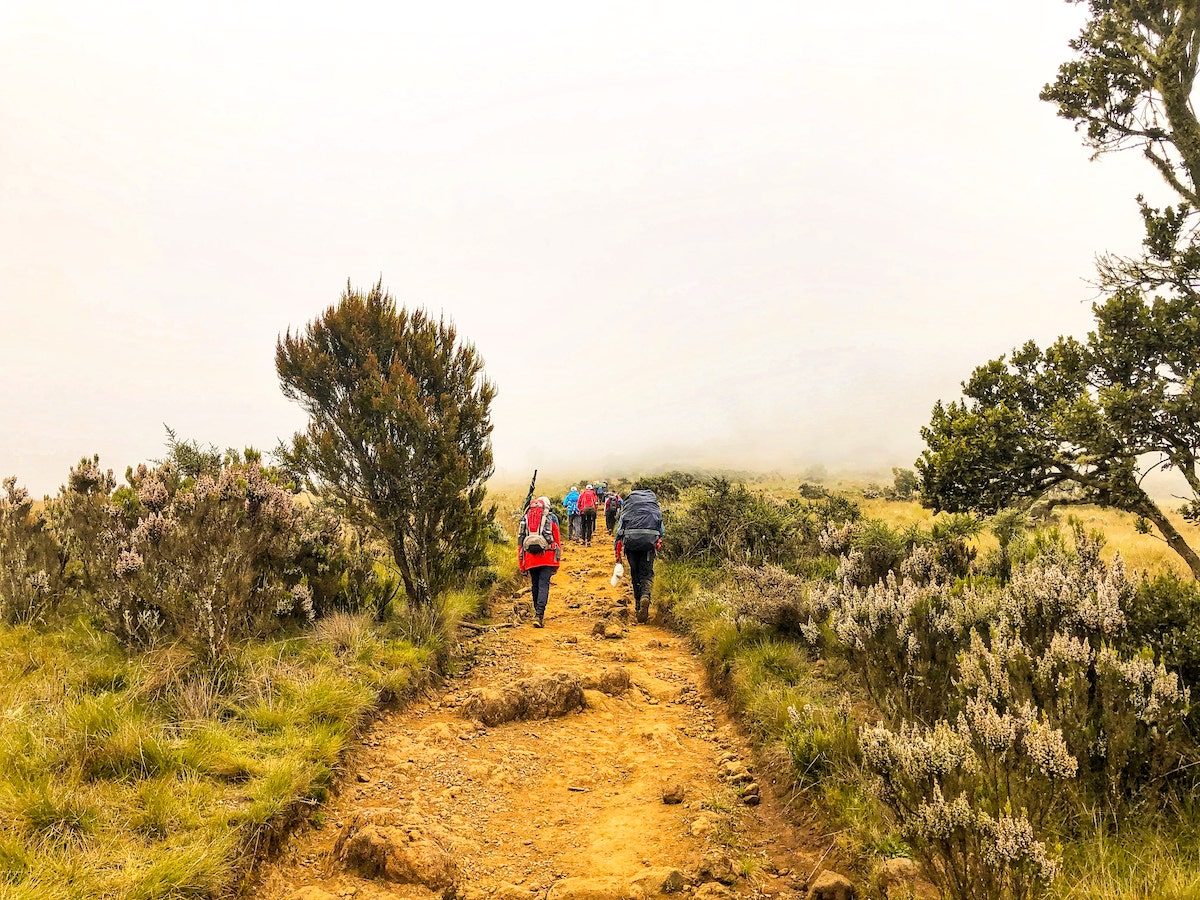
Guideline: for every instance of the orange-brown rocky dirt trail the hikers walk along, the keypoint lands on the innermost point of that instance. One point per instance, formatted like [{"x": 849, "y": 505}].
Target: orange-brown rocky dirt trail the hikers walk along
[{"x": 525, "y": 806}]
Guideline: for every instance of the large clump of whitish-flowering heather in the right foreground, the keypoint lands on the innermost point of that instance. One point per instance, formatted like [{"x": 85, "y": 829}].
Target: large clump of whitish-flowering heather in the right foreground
[{"x": 1007, "y": 715}]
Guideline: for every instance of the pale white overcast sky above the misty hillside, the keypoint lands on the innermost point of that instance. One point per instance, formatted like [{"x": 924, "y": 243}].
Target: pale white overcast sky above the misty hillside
[{"x": 753, "y": 233}]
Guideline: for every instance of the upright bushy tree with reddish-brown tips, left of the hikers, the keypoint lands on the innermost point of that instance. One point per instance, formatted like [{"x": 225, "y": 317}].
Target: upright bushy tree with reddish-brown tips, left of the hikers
[{"x": 399, "y": 434}]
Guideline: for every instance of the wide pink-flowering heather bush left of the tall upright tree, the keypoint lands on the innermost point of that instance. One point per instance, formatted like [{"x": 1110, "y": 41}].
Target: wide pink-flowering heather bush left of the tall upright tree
[{"x": 207, "y": 559}]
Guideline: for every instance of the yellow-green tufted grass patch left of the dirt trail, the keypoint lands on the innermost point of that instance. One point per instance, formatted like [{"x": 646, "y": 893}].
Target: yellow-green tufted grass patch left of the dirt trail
[{"x": 151, "y": 777}]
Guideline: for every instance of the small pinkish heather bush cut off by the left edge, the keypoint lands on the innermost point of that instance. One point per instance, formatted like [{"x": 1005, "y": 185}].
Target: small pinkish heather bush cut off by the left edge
[{"x": 29, "y": 561}]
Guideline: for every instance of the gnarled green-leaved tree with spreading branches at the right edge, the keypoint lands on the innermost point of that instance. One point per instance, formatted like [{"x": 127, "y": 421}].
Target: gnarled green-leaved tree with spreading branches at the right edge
[{"x": 1096, "y": 417}]
